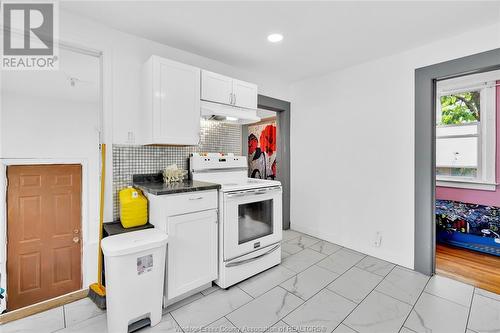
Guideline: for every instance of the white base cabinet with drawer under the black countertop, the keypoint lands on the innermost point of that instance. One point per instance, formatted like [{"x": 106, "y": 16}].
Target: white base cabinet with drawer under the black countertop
[{"x": 190, "y": 219}]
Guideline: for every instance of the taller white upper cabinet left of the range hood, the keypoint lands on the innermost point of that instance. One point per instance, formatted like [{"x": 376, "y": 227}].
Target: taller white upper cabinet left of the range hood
[{"x": 171, "y": 96}]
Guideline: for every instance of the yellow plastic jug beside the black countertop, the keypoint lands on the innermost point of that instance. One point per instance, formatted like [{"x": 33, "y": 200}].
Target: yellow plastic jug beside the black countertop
[{"x": 133, "y": 207}]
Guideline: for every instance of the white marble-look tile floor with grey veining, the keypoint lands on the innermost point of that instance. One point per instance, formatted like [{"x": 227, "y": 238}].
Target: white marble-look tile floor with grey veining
[{"x": 318, "y": 288}]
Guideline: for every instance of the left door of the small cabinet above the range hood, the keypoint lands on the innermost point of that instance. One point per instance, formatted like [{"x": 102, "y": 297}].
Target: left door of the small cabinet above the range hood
[{"x": 216, "y": 88}]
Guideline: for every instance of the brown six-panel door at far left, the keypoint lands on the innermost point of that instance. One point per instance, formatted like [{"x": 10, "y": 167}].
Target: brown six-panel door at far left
[{"x": 43, "y": 232}]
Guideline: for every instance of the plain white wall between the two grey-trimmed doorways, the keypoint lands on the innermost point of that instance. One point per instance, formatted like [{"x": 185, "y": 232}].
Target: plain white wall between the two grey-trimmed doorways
[{"x": 352, "y": 148}]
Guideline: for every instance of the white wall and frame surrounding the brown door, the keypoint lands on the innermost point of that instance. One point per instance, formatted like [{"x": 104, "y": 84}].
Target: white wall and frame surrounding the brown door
[{"x": 46, "y": 120}]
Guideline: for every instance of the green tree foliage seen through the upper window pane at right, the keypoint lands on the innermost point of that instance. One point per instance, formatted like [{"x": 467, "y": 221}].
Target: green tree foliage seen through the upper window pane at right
[{"x": 460, "y": 108}]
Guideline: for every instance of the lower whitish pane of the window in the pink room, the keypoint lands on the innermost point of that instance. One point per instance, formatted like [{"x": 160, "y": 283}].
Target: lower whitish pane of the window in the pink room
[{"x": 457, "y": 152}]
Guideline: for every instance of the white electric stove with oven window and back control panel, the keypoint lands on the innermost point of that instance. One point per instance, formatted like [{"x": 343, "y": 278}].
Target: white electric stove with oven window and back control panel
[{"x": 250, "y": 216}]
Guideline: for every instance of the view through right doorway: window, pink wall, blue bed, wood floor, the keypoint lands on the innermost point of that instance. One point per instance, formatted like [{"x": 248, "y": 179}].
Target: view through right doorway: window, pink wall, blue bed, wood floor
[{"x": 467, "y": 167}]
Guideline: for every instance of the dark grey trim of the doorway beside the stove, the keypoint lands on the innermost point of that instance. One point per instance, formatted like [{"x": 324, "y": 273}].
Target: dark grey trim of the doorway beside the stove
[{"x": 282, "y": 109}]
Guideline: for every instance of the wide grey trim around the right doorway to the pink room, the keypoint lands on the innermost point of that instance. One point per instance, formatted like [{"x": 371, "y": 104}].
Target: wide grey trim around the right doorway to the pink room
[{"x": 425, "y": 177}]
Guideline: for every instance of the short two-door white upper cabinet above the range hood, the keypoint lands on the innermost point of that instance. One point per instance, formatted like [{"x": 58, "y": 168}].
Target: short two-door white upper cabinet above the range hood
[{"x": 225, "y": 90}]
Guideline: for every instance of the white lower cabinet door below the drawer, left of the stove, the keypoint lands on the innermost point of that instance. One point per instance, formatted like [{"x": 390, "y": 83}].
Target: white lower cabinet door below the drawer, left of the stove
[{"x": 192, "y": 251}]
